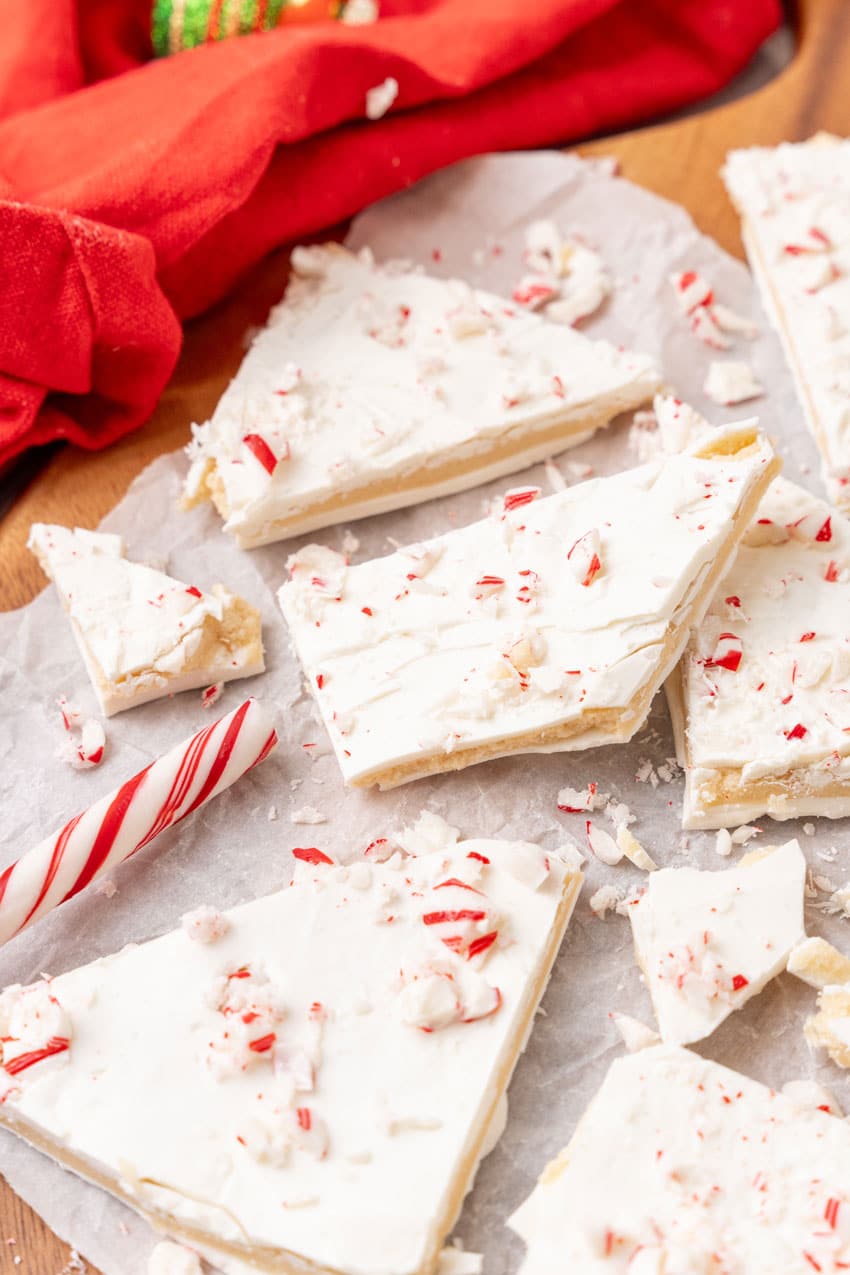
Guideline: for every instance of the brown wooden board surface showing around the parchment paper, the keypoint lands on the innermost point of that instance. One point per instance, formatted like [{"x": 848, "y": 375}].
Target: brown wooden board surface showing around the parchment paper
[{"x": 680, "y": 161}]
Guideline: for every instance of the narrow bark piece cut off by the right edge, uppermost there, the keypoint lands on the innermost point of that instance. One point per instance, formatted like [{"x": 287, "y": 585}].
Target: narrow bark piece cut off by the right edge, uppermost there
[{"x": 795, "y": 201}]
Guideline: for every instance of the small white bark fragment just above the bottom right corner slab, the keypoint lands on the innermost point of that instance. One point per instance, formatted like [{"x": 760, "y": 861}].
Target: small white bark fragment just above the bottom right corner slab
[{"x": 709, "y": 942}]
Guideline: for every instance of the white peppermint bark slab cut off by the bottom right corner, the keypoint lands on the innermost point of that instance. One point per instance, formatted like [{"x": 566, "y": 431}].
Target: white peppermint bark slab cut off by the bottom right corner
[{"x": 682, "y": 1165}]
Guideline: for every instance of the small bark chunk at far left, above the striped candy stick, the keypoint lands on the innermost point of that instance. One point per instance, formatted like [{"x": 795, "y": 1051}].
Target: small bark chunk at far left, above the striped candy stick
[{"x": 141, "y": 633}]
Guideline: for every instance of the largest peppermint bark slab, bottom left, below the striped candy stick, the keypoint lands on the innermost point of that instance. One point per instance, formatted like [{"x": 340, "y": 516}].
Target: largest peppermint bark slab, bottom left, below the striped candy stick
[{"x": 323, "y": 1053}]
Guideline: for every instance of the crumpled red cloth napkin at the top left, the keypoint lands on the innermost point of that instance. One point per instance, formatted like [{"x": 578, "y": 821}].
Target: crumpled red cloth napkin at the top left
[{"x": 134, "y": 192}]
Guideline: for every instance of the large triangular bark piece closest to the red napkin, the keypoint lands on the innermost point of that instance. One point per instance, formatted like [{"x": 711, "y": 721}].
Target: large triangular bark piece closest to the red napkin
[{"x": 373, "y": 388}]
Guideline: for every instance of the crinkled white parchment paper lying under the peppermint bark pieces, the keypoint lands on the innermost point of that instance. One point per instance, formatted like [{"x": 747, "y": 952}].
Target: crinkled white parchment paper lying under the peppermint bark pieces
[{"x": 475, "y": 215}]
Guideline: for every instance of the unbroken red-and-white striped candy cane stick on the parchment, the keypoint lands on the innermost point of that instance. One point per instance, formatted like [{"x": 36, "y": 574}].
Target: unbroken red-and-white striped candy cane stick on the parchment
[{"x": 126, "y": 820}]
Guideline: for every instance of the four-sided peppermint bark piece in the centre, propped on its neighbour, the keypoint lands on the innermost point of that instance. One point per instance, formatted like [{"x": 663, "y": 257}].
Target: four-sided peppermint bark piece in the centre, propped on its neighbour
[{"x": 545, "y": 628}]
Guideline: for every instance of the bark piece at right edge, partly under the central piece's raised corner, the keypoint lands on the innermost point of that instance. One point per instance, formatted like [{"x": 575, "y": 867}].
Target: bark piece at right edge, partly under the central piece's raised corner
[{"x": 761, "y": 699}]
